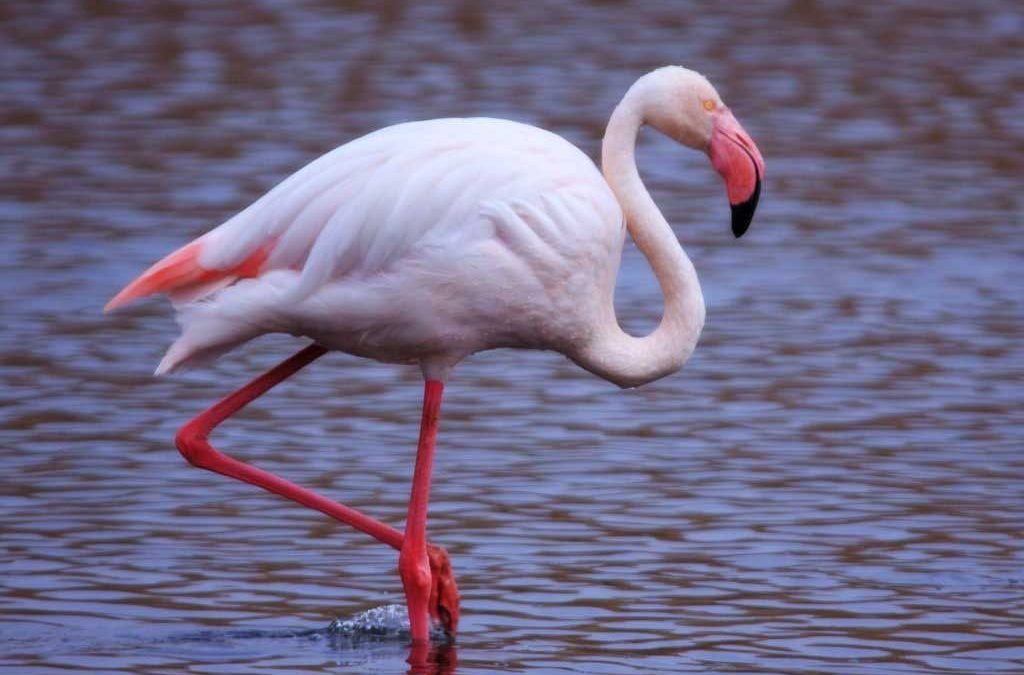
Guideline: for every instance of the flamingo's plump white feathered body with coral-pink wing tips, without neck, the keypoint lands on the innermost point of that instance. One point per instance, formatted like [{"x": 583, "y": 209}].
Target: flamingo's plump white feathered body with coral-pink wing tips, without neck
[{"x": 422, "y": 242}]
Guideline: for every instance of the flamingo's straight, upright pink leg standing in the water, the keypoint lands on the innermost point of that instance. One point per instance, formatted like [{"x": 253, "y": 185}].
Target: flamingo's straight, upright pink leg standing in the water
[{"x": 414, "y": 566}]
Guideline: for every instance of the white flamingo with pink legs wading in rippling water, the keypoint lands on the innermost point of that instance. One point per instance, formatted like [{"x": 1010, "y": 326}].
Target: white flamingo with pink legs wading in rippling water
[{"x": 426, "y": 242}]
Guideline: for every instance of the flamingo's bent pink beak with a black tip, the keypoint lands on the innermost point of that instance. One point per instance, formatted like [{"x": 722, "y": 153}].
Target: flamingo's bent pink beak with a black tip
[{"x": 739, "y": 161}]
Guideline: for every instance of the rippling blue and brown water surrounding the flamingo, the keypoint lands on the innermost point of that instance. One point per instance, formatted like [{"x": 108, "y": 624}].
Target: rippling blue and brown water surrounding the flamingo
[{"x": 835, "y": 484}]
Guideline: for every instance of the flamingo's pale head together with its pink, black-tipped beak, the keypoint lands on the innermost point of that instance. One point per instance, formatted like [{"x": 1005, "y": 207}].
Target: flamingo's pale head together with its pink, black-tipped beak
[{"x": 685, "y": 106}]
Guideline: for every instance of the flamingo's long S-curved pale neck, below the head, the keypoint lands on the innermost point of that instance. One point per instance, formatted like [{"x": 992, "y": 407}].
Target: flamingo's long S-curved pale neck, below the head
[{"x": 615, "y": 355}]
